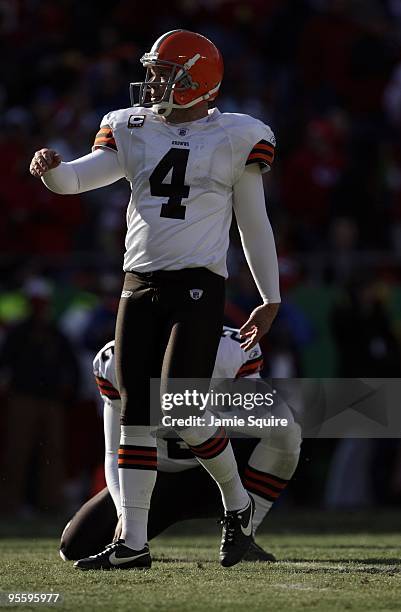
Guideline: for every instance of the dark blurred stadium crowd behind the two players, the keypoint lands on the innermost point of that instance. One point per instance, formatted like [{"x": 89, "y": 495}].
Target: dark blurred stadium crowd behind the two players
[{"x": 326, "y": 75}]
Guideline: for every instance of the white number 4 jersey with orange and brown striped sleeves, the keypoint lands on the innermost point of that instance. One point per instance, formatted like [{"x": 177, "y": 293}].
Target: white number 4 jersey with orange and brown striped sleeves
[{"x": 182, "y": 179}]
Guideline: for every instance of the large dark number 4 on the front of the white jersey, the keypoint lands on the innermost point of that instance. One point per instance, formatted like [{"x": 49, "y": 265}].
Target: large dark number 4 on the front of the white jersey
[{"x": 177, "y": 160}]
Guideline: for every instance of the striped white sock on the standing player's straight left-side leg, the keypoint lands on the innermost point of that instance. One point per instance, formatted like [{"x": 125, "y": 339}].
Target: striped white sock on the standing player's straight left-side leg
[{"x": 137, "y": 448}]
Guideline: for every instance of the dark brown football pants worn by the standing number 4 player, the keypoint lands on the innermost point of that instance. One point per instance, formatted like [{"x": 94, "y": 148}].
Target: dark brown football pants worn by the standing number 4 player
[{"x": 168, "y": 326}]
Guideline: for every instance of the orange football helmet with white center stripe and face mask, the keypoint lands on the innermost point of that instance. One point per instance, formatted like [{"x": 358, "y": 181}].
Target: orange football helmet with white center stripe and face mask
[{"x": 183, "y": 69}]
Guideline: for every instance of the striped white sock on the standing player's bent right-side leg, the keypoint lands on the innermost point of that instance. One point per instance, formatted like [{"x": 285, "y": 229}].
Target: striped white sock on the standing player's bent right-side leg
[{"x": 218, "y": 459}]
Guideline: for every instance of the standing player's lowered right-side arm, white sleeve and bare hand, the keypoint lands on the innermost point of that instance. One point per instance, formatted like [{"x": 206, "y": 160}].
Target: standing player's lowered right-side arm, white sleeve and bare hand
[{"x": 260, "y": 252}]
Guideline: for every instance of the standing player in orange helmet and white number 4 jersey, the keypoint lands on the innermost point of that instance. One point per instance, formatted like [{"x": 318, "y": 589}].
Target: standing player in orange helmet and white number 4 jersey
[{"x": 188, "y": 168}]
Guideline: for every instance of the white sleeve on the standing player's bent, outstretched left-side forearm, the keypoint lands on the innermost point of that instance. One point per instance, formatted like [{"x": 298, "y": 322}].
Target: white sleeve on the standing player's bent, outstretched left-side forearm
[{"x": 92, "y": 171}]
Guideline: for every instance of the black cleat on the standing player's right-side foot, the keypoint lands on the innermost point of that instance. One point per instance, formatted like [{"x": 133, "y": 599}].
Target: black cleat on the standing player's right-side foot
[{"x": 237, "y": 534}]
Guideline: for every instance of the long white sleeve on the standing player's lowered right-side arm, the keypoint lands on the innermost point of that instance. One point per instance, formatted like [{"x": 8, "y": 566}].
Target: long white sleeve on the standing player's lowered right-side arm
[{"x": 256, "y": 233}]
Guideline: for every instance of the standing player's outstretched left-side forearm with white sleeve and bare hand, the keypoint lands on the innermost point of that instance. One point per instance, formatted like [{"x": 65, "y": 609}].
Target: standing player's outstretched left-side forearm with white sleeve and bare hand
[{"x": 98, "y": 169}]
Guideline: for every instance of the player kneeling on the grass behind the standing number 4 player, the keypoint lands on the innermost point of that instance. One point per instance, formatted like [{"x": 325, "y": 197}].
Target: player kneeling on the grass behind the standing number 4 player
[{"x": 183, "y": 490}]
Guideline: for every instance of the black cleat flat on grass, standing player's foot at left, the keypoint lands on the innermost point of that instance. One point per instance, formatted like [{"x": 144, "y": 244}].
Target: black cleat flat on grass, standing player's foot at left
[{"x": 117, "y": 556}]
